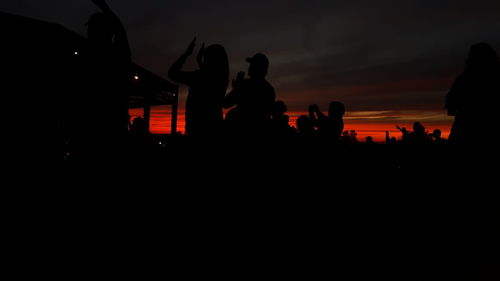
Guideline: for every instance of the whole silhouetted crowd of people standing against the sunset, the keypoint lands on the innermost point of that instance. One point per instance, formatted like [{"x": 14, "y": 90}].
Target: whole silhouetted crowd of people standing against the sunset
[{"x": 254, "y": 115}]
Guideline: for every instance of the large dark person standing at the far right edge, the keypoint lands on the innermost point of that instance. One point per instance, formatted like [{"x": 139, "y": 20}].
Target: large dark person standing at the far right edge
[{"x": 473, "y": 98}]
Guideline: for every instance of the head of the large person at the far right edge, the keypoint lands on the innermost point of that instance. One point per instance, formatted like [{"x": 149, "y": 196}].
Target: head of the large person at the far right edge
[{"x": 482, "y": 58}]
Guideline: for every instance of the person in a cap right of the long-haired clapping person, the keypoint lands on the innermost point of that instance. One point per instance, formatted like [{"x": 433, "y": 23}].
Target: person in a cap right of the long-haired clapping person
[{"x": 254, "y": 98}]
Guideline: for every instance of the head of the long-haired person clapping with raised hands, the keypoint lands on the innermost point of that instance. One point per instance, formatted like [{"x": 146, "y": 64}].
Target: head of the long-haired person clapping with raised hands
[{"x": 215, "y": 63}]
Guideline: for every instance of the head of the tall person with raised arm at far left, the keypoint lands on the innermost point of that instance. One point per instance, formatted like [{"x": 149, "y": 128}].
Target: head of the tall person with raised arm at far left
[{"x": 100, "y": 29}]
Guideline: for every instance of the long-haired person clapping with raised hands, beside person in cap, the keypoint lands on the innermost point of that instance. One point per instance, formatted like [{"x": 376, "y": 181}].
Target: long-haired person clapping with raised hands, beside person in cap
[{"x": 207, "y": 87}]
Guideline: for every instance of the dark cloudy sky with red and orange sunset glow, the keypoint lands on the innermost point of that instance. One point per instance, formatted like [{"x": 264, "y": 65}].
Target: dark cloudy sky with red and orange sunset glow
[{"x": 389, "y": 62}]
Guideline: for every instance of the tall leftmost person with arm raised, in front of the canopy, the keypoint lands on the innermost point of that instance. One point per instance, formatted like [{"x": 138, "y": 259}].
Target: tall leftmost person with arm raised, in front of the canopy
[{"x": 100, "y": 119}]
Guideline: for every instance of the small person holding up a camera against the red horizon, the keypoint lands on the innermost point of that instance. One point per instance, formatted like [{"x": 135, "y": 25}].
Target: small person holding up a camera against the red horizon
[{"x": 329, "y": 127}]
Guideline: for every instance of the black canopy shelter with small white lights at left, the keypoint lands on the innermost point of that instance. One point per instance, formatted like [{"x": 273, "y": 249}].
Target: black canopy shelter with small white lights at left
[{"x": 38, "y": 59}]
